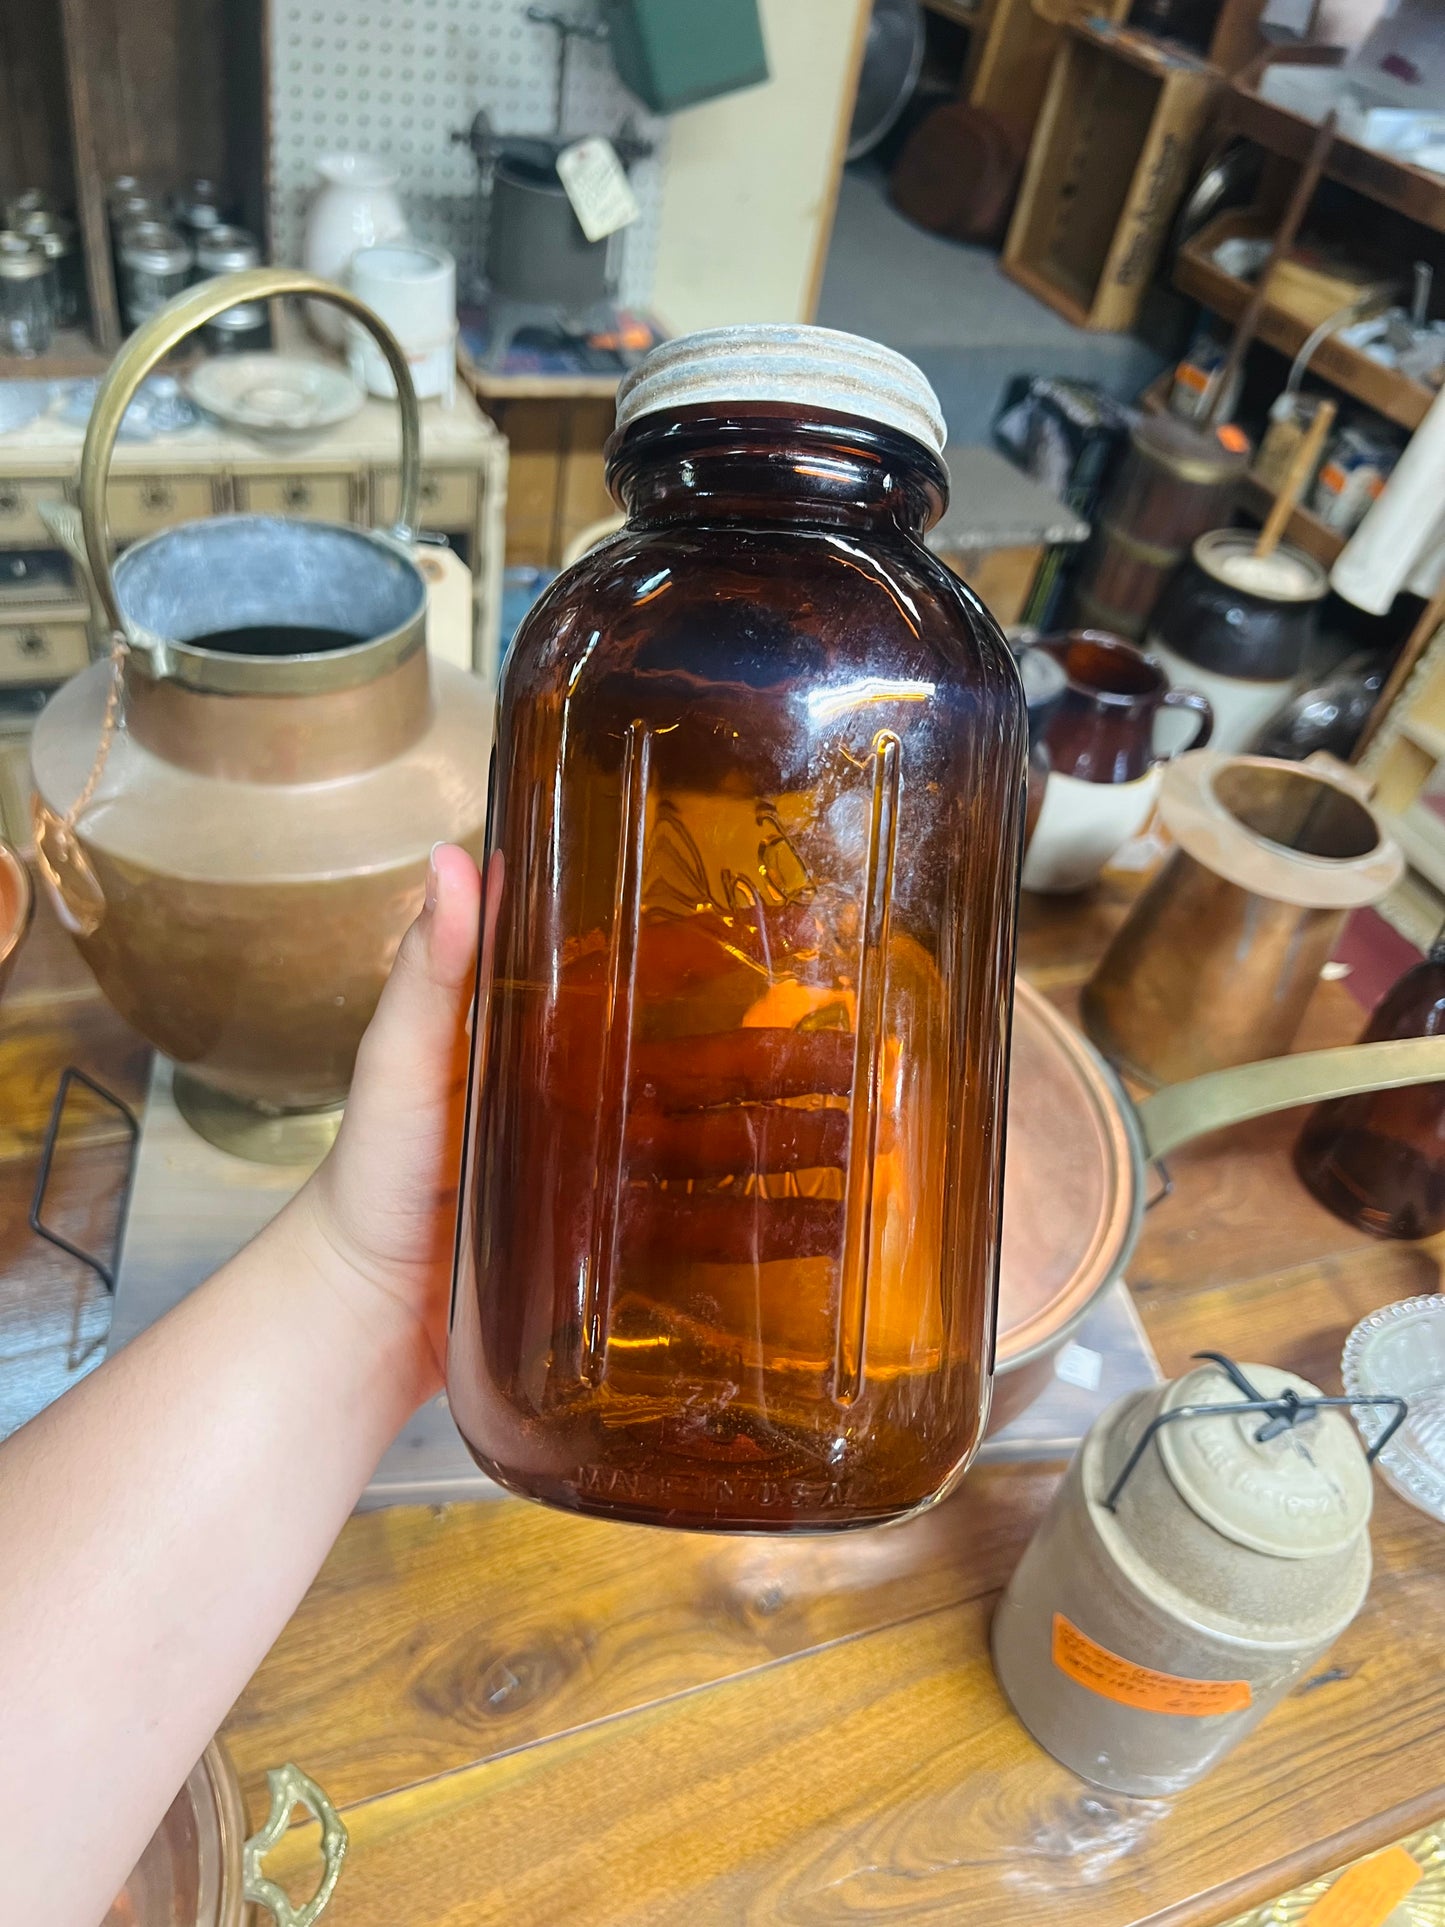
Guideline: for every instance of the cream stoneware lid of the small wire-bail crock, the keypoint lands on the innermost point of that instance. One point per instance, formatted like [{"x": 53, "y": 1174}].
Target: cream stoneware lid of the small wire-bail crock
[{"x": 1296, "y": 1496}]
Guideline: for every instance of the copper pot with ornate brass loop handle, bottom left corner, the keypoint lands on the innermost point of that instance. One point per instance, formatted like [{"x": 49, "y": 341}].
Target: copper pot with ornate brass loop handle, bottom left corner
[{"x": 201, "y": 1870}]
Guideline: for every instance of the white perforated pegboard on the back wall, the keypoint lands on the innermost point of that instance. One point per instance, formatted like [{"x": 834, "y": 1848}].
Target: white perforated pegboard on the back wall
[{"x": 394, "y": 78}]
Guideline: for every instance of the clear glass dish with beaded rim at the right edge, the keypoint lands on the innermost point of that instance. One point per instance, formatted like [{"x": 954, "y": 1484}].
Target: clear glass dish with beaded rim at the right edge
[{"x": 1402, "y": 1350}]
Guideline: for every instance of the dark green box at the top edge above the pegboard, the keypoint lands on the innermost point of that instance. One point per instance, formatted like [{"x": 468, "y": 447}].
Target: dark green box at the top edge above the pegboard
[{"x": 677, "y": 53}]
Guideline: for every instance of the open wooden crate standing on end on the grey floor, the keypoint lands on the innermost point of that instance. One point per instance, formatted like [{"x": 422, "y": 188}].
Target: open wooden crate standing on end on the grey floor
[{"x": 1111, "y": 161}]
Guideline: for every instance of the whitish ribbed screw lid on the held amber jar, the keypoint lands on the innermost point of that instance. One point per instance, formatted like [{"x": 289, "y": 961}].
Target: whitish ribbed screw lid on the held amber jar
[{"x": 795, "y": 367}]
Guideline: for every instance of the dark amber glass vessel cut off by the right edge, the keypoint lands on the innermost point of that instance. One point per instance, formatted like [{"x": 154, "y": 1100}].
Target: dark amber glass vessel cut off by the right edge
[{"x": 1379, "y": 1161}]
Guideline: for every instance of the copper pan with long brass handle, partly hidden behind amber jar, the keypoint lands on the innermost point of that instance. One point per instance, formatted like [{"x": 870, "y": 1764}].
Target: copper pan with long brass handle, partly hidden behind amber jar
[{"x": 1078, "y": 1167}]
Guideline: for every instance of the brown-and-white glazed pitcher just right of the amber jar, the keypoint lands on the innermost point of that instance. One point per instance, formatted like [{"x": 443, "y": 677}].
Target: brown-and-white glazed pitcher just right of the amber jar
[{"x": 1105, "y": 764}]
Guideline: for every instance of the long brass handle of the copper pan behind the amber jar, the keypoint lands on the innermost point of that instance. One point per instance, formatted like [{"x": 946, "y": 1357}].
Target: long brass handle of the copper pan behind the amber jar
[{"x": 1211, "y": 1103}]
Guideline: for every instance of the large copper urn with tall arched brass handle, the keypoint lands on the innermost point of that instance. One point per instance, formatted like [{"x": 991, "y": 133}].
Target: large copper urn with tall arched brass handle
[{"x": 234, "y": 814}]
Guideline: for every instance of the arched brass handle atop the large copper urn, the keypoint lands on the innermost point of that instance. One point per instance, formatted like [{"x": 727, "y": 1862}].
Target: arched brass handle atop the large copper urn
[{"x": 167, "y": 330}]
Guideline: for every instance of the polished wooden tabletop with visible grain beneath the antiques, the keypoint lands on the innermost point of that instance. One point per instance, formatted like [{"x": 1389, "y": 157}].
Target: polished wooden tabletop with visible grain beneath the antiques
[{"x": 560, "y": 1724}]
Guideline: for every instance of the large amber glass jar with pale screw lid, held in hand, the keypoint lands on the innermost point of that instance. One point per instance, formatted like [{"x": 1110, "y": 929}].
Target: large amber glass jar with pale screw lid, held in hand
[{"x": 733, "y": 1198}]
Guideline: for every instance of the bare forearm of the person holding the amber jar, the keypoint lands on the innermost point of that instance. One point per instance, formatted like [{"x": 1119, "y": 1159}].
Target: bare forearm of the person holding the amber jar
[{"x": 157, "y": 1529}]
